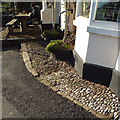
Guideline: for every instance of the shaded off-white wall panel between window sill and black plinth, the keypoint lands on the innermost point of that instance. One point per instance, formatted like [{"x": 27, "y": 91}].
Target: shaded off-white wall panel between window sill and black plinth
[{"x": 102, "y": 50}]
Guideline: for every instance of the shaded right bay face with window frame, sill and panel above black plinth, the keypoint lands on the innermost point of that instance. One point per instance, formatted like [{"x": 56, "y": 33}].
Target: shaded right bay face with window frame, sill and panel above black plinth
[{"x": 103, "y": 41}]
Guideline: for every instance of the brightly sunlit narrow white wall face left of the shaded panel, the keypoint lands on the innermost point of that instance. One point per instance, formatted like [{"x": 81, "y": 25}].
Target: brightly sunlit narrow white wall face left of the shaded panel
[{"x": 82, "y": 36}]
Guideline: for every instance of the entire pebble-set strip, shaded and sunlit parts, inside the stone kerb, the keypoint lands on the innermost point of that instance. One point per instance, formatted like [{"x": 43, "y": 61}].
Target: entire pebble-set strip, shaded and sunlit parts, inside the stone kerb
[{"x": 63, "y": 76}]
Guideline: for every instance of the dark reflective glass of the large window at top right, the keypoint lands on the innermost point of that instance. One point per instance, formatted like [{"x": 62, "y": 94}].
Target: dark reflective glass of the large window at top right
[{"x": 108, "y": 11}]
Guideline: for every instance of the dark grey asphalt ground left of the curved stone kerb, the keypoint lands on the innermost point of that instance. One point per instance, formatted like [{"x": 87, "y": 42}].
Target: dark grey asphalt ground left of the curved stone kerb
[{"x": 23, "y": 96}]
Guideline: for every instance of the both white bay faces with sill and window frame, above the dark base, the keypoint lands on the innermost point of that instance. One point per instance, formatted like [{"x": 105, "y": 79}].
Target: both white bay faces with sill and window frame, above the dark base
[{"x": 97, "y": 41}]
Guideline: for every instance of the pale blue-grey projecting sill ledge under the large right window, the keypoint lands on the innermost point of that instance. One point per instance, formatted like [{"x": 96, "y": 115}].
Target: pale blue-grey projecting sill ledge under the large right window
[{"x": 103, "y": 31}]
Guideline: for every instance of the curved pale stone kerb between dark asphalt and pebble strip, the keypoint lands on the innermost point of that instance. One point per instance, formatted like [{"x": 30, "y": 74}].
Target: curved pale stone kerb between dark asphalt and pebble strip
[{"x": 29, "y": 67}]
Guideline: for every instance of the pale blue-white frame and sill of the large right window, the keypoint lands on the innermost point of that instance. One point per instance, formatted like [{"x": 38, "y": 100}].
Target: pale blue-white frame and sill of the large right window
[{"x": 107, "y": 28}]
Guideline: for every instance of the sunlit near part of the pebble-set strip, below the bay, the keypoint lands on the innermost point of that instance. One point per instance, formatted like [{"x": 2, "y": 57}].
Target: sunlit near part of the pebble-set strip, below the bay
[{"x": 98, "y": 97}]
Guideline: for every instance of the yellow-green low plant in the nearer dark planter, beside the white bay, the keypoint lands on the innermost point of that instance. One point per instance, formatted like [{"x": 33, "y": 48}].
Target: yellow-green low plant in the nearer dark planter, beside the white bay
[{"x": 55, "y": 45}]
